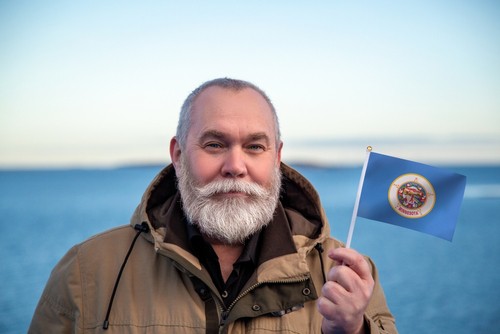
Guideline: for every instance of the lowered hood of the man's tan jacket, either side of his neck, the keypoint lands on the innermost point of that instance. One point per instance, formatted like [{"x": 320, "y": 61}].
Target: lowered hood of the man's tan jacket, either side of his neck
[{"x": 298, "y": 198}]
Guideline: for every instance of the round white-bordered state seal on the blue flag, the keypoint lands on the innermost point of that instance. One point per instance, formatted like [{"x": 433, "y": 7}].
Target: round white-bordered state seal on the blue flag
[{"x": 411, "y": 196}]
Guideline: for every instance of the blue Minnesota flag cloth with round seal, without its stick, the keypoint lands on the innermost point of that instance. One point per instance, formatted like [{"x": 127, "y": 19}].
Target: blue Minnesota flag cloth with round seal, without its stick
[{"x": 411, "y": 195}]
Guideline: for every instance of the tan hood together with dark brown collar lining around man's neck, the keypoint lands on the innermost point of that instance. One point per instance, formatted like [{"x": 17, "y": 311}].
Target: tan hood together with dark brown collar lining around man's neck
[{"x": 299, "y": 215}]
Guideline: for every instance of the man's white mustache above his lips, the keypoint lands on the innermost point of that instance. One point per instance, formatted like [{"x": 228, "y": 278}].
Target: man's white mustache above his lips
[{"x": 231, "y": 185}]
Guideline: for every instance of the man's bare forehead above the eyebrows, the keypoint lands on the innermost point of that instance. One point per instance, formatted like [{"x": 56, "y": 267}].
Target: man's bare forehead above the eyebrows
[{"x": 222, "y": 109}]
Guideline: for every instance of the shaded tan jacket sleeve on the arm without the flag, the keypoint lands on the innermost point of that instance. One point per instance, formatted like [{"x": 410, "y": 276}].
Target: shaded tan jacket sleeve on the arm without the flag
[{"x": 59, "y": 307}]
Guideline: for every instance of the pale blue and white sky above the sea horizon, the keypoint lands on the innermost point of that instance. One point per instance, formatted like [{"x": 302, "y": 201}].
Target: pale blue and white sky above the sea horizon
[{"x": 100, "y": 83}]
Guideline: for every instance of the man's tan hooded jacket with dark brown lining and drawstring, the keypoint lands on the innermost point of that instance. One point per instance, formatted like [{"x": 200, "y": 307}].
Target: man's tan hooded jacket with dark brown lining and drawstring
[{"x": 164, "y": 288}]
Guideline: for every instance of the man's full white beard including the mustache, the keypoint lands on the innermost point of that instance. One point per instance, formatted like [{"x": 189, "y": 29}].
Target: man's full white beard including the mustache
[{"x": 230, "y": 220}]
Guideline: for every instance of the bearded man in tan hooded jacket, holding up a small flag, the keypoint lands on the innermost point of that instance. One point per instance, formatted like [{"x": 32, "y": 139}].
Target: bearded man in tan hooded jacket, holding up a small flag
[{"x": 232, "y": 242}]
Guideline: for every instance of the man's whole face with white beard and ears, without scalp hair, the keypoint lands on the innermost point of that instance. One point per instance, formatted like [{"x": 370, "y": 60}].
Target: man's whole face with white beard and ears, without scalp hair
[{"x": 228, "y": 174}]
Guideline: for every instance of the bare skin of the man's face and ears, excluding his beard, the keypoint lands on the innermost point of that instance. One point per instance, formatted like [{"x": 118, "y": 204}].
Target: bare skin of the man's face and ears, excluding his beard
[{"x": 232, "y": 135}]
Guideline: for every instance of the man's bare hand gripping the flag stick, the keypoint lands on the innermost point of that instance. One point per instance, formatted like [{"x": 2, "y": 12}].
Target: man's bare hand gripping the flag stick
[{"x": 346, "y": 293}]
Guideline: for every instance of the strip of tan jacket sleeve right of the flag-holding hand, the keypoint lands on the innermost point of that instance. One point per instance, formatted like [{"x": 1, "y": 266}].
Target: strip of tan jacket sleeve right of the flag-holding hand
[{"x": 378, "y": 318}]
